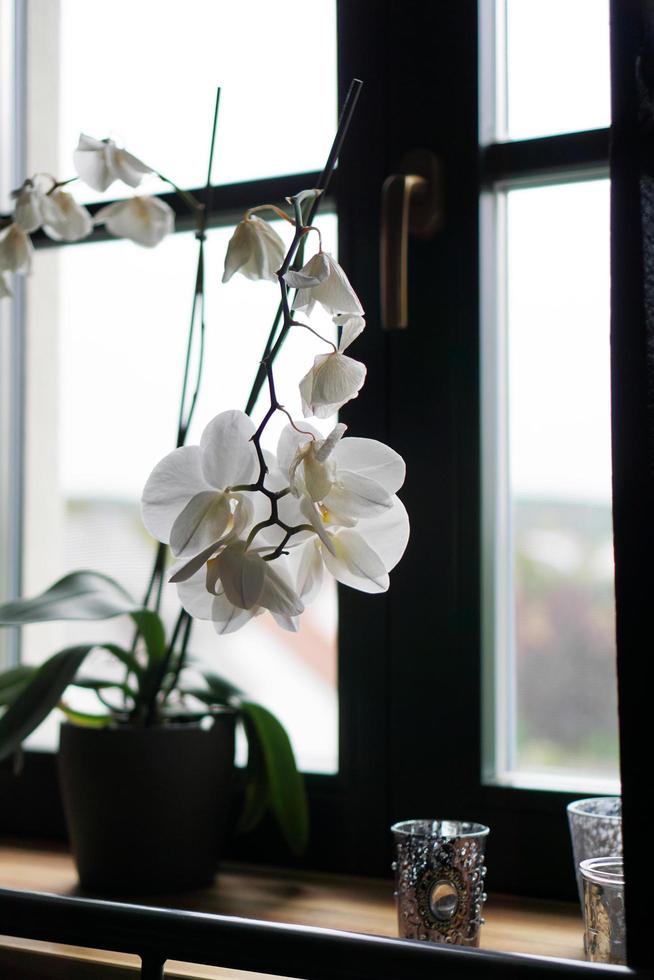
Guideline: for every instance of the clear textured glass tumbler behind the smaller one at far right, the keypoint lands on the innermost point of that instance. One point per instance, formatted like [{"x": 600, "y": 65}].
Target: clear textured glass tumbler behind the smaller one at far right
[{"x": 595, "y": 831}]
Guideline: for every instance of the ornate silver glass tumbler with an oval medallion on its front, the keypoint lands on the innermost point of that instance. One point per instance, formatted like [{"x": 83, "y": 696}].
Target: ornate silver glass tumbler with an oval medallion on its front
[{"x": 439, "y": 880}]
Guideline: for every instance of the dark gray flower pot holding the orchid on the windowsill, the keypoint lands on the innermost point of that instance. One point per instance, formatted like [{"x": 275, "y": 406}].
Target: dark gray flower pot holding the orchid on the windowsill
[{"x": 147, "y": 809}]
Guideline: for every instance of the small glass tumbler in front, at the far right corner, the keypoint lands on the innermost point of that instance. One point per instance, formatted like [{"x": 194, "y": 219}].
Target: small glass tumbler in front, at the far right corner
[{"x": 604, "y": 926}]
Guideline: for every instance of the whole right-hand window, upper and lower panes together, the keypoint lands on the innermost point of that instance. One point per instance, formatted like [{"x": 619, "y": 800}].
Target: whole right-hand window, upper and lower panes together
[{"x": 549, "y": 629}]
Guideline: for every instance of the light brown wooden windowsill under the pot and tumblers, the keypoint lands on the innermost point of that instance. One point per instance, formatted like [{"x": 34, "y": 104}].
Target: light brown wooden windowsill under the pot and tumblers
[{"x": 314, "y": 899}]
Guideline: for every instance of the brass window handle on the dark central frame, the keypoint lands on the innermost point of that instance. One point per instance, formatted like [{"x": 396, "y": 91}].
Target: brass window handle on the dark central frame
[{"x": 411, "y": 202}]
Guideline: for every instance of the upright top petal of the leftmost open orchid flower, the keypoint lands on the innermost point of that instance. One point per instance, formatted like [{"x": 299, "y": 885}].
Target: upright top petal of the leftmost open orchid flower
[{"x": 228, "y": 456}]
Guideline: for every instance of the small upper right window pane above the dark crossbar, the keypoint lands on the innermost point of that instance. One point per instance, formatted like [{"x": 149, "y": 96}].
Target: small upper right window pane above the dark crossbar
[{"x": 557, "y": 66}]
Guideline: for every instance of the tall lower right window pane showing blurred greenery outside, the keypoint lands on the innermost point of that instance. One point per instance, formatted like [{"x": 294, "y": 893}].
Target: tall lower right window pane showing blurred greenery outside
[{"x": 559, "y": 484}]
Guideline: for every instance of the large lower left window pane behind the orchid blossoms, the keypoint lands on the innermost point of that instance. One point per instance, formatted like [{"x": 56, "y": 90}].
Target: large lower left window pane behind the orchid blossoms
[{"x": 107, "y": 327}]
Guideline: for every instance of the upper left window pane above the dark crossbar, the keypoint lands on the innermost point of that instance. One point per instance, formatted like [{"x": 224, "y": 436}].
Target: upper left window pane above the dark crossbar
[{"x": 146, "y": 74}]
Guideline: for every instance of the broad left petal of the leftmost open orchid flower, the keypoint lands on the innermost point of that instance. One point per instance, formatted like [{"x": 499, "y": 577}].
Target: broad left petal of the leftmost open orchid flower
[{"x": 170, "y": 486}]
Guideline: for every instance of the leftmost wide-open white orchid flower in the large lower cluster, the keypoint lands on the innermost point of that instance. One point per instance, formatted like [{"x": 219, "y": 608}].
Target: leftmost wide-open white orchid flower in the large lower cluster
[{"x": 188, "y": 502}]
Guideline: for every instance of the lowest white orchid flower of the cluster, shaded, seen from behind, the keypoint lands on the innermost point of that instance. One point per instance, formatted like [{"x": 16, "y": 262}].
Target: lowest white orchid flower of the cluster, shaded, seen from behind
[{"x": 237, "y": 586}]
